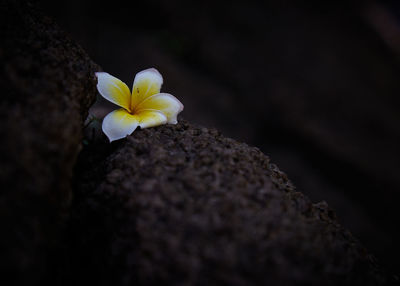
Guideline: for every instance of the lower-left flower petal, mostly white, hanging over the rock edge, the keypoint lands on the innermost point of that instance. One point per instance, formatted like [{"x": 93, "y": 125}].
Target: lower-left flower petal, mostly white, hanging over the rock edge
[{"x": 119, "y": 123}]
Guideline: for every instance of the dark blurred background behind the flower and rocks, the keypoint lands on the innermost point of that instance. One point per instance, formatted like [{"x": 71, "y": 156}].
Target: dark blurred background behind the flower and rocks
[{"x": 315, "y": 86}]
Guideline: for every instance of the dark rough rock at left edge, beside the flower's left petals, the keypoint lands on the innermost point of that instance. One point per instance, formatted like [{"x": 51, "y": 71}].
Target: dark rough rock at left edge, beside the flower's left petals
[{"x": 47, "y": 84}]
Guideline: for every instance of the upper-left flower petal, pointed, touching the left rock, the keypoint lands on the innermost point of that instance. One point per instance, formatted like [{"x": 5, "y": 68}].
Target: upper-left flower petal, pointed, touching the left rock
[{"x": 113, "y": 90}]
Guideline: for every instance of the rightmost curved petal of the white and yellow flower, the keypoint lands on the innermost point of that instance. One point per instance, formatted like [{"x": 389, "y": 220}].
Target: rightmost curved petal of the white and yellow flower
[{"x": 166, "y": 103}]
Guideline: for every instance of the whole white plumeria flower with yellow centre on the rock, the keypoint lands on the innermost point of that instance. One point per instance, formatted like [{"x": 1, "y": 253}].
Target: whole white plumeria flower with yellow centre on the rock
[{"x": 144, "y": 107}]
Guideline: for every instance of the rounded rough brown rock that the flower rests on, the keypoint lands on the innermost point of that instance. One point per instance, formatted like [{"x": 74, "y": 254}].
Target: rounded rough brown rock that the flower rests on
[{"x": 183, "y": 205}]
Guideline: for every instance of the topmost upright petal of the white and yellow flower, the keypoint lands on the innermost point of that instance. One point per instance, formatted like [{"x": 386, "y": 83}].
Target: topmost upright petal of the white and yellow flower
[{"x": 146, "y": 83}]
